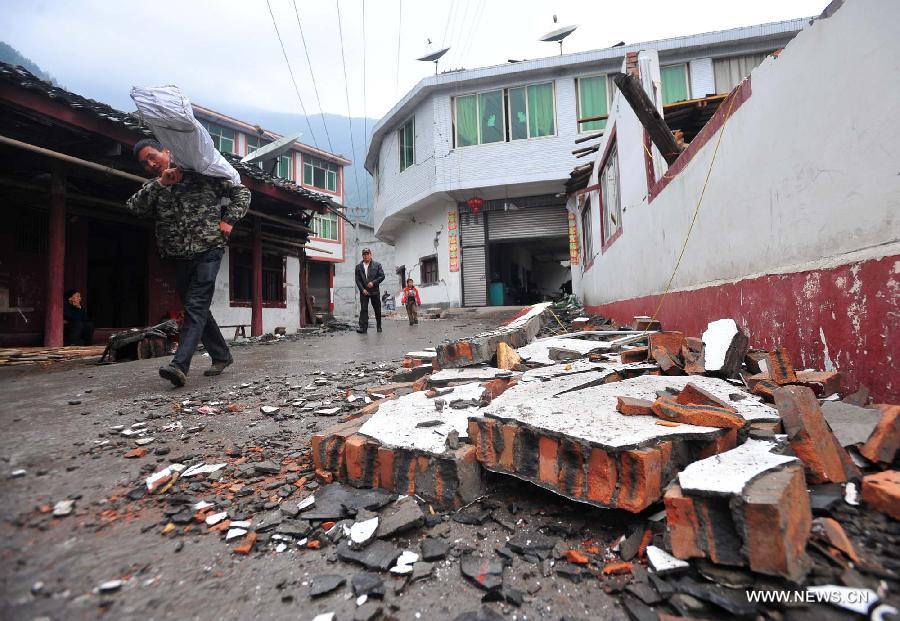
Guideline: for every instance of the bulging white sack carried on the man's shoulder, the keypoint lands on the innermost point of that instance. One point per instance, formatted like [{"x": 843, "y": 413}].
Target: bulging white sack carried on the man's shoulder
[{"x": 168, "y": 113}]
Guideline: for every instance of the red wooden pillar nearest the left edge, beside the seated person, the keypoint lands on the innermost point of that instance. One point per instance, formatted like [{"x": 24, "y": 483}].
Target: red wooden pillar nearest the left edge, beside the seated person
[{"x": 56, "y": 260}]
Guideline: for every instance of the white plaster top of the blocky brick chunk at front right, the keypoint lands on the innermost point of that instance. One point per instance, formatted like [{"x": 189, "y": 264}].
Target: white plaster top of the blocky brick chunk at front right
[{"x": 728, "y": 473}]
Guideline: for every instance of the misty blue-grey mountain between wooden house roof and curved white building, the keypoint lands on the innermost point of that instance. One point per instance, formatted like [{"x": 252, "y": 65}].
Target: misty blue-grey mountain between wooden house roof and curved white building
[{"x": 359, "y": 203}]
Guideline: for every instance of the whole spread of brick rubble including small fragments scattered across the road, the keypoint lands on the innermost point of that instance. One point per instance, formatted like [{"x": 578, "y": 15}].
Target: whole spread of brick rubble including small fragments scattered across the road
[{"x": 674, "y": 472}]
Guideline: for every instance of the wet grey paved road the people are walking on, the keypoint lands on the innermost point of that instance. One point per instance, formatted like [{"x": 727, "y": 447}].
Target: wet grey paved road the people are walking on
[{"x": 57, "y": 443}]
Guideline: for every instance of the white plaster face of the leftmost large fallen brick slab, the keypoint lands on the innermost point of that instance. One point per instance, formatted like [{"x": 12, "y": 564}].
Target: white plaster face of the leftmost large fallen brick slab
[{"x": 395, "y": 423}]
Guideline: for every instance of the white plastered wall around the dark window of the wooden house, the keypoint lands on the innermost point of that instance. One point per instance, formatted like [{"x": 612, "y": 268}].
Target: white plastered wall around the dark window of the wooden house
[{"x": 226, "y": 314}]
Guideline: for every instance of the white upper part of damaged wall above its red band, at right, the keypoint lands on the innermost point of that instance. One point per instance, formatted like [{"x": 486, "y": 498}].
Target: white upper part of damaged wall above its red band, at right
[{"x": 805, "y": 173}]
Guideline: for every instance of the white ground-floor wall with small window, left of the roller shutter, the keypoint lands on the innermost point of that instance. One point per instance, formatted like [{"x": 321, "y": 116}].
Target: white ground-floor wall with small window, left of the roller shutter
[{"x": 416, "y": 241}]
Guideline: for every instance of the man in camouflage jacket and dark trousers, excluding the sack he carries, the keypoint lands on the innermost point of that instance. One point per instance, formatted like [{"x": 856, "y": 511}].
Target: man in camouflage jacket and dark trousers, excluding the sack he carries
[{"x": 194, "y": 216}]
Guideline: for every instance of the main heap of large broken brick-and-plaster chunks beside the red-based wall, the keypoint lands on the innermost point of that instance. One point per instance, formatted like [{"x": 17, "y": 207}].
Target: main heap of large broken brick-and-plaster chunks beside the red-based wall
[{"x": 728, "y": 440}]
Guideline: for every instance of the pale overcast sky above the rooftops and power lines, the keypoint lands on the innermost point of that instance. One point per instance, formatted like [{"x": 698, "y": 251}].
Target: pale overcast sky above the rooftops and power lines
[{"x": 225, "y": 52}]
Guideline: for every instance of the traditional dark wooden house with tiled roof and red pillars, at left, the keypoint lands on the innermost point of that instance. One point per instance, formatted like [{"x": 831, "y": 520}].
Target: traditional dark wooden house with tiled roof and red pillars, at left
[{"x": 67, "y": 169}]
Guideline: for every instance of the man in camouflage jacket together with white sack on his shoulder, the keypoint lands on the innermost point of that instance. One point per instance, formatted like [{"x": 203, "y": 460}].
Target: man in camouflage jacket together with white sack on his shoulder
[{"x": 195, "y": 199}]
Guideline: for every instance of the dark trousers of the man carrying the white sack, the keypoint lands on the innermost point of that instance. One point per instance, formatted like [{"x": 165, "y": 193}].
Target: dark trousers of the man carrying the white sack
[{"x": 195, "y": 279}]
